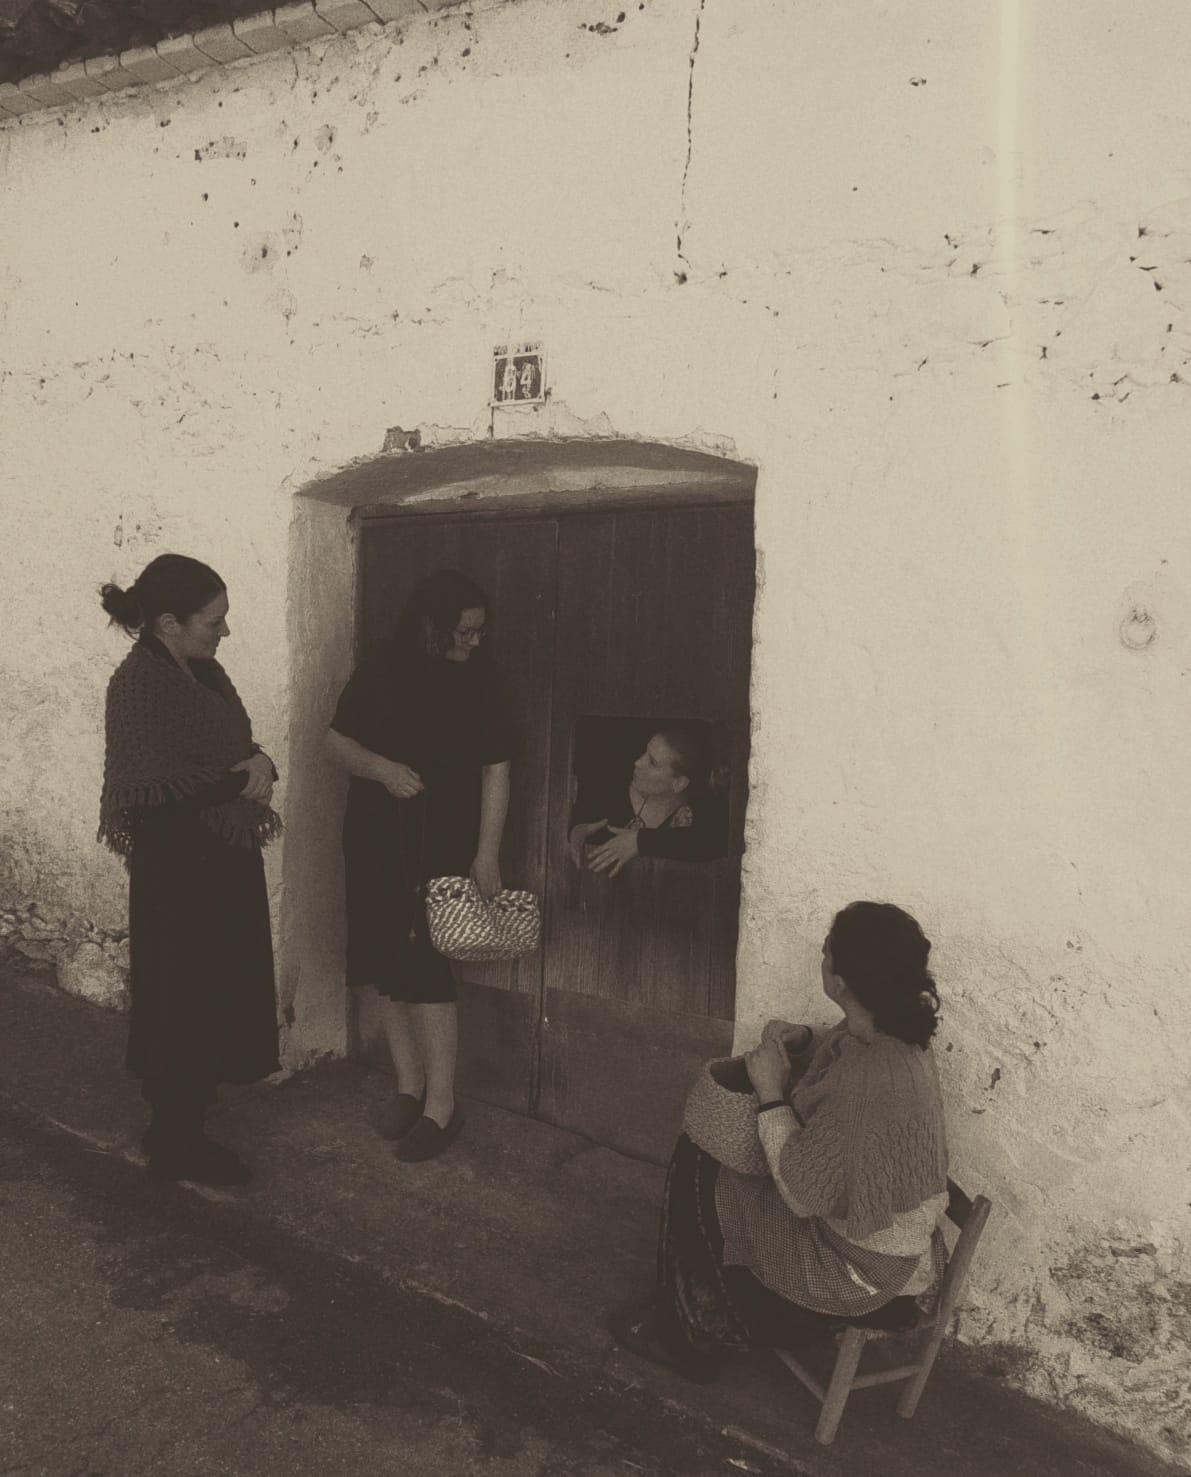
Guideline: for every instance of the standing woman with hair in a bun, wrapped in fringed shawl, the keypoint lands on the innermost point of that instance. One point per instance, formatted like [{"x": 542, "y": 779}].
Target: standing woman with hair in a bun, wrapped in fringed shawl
[{"x": 187, "y": 806}]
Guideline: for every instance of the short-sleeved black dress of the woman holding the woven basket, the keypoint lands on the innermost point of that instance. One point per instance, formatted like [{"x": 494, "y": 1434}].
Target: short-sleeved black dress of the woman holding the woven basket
[{"x": 447, "y": 722}]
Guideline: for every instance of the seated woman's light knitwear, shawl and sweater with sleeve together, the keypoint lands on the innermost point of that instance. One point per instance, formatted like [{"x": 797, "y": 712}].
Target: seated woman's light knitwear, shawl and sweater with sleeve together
[{"x": 859, "y": 1179}]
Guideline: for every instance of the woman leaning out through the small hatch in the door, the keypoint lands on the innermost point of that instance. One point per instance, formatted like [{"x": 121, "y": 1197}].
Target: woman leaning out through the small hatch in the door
[{"x": 661, "y": 810}]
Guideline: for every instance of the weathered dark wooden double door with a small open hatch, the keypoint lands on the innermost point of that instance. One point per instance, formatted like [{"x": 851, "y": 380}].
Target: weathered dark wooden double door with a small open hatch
[{"x": 604, "y": 623}]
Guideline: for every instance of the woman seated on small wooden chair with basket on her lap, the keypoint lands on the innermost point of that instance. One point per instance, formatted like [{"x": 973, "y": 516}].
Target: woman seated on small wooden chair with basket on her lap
[{"x": 831, "y": 1215}]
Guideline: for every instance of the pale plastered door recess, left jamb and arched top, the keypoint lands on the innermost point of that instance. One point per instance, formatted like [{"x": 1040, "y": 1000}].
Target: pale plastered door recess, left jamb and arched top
[{"x": 506, "y": 478}]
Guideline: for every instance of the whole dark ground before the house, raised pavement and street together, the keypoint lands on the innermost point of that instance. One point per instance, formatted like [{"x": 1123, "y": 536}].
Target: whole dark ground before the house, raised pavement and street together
[{"x": 440, "y": 1318}]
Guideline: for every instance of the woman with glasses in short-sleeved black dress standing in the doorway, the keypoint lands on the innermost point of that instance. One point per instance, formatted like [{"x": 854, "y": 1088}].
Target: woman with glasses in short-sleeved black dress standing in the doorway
[{"x": 426, "y": 735}]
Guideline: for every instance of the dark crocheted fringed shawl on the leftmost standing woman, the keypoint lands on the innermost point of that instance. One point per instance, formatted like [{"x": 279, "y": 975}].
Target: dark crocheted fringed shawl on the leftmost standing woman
[{"x": 166, "y": 738}]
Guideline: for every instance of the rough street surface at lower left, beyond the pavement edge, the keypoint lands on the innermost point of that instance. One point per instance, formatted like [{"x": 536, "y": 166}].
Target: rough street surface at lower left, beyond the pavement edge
[{"x": 138, "y": 1339}]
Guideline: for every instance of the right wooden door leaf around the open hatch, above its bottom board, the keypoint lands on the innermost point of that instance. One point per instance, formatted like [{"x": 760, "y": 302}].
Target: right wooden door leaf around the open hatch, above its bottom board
[{"x": 660, "y": 608}]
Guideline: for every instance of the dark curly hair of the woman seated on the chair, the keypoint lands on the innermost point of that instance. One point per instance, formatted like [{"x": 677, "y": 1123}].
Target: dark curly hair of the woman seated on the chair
[{"x": 881, "y": 953}]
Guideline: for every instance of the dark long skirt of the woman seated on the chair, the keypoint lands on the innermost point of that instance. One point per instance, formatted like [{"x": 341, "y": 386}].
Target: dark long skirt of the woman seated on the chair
[{"x": 707, "y": 1309}]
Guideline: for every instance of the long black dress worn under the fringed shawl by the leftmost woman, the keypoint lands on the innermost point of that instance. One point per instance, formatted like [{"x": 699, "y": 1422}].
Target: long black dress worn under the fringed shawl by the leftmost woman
[{"x": 203, "y": 1007}]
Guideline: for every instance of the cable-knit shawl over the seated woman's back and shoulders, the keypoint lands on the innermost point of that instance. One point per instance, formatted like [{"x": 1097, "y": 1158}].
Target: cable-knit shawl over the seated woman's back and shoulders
[{"x": 871, "y": 1140}]
